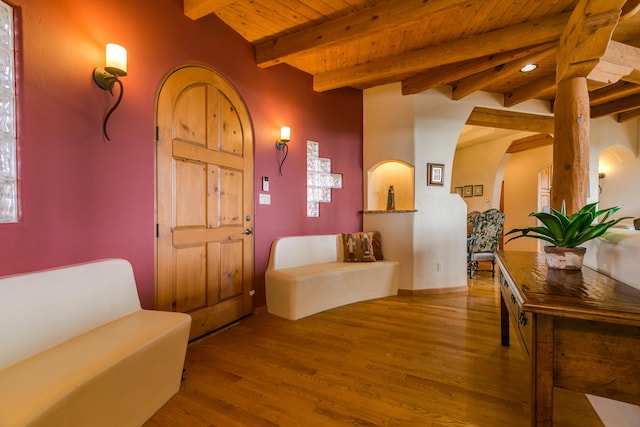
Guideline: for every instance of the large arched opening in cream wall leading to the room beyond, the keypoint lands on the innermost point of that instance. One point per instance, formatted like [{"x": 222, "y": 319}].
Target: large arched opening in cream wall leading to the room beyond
[{"x": 498, "y": 150}]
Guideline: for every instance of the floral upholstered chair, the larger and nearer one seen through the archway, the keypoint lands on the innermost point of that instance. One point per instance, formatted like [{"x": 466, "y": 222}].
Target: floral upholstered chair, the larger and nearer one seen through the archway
[{"x": 487, "y": 230}]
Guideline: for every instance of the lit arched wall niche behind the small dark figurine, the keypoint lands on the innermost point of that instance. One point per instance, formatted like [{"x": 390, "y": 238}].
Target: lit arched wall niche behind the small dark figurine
[{"x": 389, "y": 173}]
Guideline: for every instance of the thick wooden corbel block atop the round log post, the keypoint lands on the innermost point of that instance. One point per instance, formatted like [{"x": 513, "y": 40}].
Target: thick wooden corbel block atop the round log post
[{"x": 586, "y": 37}]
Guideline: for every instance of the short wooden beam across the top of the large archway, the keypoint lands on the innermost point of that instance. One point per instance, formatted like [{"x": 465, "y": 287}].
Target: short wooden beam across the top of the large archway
[{"x": 503, "y": 119}]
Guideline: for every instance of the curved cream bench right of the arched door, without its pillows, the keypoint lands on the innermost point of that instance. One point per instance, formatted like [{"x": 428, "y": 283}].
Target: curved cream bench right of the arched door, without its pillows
[{"x": 306, "y": 275}]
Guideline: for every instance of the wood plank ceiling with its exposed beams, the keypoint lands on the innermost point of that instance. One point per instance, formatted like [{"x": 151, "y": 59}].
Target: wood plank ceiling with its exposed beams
[{"x": 470, "y": 45}]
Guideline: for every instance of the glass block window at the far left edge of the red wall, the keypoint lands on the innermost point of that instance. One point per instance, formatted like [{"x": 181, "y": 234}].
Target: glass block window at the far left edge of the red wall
[{"x": 8, "y": 175}]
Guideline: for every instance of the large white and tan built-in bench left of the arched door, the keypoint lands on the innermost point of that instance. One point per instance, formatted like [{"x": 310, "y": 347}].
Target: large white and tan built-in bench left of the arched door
[{"x": 76, "y": 349}]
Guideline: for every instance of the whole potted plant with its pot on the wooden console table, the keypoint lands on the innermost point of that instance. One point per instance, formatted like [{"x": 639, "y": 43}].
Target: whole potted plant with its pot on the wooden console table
[{"x": 567, "y": 233}]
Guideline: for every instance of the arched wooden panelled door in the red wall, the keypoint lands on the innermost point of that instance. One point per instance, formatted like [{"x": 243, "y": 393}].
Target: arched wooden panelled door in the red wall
[{"x": 204, "y": 200}]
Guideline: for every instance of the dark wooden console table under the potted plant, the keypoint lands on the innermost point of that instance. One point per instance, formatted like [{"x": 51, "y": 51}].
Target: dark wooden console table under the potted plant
[{"x": 581, "y": 330}]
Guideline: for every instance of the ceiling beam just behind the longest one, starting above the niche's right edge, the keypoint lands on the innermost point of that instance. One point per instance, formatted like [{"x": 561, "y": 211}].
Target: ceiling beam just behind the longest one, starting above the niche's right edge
[{"x": 450, "y": 73}]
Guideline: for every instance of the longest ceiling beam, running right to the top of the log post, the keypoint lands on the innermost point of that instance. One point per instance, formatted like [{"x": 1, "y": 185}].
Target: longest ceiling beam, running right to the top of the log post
[{"x": 517, "y": 36}]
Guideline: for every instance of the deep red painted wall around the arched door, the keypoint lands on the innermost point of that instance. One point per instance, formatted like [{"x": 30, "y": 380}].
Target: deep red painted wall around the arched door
[{"x": 84, "y": 198}]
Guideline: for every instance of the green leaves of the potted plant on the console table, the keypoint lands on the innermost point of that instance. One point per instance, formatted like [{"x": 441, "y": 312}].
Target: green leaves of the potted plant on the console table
[{"x": 569, "y": 231}]
